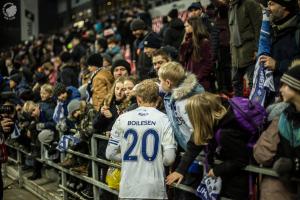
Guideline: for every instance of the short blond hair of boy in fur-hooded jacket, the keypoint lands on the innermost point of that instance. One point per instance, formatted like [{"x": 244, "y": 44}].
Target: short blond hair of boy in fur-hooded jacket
[{"x": 172, "y": 71}]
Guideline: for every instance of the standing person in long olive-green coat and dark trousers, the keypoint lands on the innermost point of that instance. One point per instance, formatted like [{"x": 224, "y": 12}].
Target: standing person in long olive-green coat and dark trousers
[{"x": 244, "y": 35}]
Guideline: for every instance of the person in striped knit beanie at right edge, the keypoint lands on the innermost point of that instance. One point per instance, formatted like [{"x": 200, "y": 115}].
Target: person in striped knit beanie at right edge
[{"x": 288, "y": 164}]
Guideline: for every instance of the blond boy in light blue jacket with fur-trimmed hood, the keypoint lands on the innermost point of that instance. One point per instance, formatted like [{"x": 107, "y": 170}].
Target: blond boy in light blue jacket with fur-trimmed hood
[{"x": 178, "y": 85}]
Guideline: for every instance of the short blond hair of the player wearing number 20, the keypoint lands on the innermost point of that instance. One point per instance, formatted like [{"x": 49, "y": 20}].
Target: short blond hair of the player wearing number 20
[{"x": 148, "y": 90}]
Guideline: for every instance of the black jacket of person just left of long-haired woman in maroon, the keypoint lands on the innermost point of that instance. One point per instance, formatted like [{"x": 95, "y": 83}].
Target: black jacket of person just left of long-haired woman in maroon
[{"x": 174, "y": 33}]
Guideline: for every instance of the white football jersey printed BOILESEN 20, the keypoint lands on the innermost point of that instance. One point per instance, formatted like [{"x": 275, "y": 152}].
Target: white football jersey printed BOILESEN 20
[{"x": 142, "y": 135}]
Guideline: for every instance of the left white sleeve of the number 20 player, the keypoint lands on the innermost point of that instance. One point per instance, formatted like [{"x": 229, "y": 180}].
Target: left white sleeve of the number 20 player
[{"x": 113, "y": 147}]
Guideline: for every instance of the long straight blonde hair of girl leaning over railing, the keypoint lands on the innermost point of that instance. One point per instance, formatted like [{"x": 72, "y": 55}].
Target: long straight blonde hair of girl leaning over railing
[{"x": 204, "y": 110}]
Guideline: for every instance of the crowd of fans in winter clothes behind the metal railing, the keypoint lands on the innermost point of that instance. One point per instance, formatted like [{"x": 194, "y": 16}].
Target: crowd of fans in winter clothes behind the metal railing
[{"x": 68, "y": 86}]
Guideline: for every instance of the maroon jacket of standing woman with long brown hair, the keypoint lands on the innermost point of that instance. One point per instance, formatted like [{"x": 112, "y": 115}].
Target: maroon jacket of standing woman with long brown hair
[{"x": 203, "y": 67}]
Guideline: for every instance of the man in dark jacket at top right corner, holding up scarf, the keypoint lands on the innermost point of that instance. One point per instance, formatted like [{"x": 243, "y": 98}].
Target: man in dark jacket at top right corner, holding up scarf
[{"x": 285, "y": 40}]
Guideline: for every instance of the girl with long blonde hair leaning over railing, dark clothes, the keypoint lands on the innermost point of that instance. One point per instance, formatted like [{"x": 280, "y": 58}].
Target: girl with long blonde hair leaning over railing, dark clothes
[{"x": 209, "y": 114}]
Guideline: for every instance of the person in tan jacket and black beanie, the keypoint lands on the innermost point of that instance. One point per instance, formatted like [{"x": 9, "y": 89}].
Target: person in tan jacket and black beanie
[{"x": 100, "y": 82}]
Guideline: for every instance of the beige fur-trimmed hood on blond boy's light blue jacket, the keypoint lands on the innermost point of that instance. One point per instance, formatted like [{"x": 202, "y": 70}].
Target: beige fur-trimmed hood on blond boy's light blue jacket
[{"x": 187, "y": 88}]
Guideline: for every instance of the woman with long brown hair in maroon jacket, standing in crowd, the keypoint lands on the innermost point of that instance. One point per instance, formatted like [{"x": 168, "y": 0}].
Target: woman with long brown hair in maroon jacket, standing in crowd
[{"x": 195, "y": 51}]
